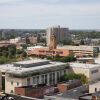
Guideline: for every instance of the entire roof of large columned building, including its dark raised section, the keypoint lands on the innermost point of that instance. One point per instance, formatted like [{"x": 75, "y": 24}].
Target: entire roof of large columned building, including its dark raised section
[{"x": 46, "y": 66}]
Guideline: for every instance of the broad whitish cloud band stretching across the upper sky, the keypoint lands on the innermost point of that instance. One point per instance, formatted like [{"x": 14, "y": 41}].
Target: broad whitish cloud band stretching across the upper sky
[{"x": 49, "y": 10}]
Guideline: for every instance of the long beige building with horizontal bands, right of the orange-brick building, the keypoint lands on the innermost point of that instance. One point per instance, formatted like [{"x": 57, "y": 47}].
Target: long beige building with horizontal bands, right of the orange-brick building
[{"x": 82, "y": 50}]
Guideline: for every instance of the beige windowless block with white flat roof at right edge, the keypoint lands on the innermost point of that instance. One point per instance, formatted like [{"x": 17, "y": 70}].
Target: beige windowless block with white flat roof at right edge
[{"x": 91, "y": 71}]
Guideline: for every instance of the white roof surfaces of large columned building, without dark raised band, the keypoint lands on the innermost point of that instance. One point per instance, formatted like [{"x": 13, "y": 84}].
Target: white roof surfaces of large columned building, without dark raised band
[{"x": 10, "y": 68}]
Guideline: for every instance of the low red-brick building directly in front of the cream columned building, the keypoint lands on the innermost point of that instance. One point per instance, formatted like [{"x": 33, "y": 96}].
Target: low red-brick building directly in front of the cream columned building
[{"x": 34, "y": 91}]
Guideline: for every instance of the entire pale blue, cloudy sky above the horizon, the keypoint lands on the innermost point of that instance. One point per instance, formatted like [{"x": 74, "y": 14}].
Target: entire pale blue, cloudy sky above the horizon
[{"x": 39, "y": 14}]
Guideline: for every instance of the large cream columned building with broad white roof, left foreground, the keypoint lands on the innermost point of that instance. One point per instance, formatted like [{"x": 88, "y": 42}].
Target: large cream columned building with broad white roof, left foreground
[{"x": 32, "y": 72}]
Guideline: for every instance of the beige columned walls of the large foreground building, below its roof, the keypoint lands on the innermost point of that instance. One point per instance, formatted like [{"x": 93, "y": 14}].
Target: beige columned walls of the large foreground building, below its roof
[{"x": 51, "y": 79}]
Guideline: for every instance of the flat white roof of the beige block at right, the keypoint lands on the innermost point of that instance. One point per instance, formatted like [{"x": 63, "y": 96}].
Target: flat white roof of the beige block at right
[{"x": 83, "y": 65}]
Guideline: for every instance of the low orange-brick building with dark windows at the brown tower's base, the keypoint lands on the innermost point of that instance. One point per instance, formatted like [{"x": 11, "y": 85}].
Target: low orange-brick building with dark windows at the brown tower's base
[{"x": 45, "y": 51}]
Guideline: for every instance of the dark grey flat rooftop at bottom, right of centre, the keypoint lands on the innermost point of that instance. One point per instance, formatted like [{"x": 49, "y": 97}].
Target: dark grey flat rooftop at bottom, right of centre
[{"x": 72, "y": 94}]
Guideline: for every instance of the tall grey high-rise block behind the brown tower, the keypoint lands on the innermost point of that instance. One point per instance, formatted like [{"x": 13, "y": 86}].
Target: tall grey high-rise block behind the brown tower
[{"x": 58, "y": 32}]
